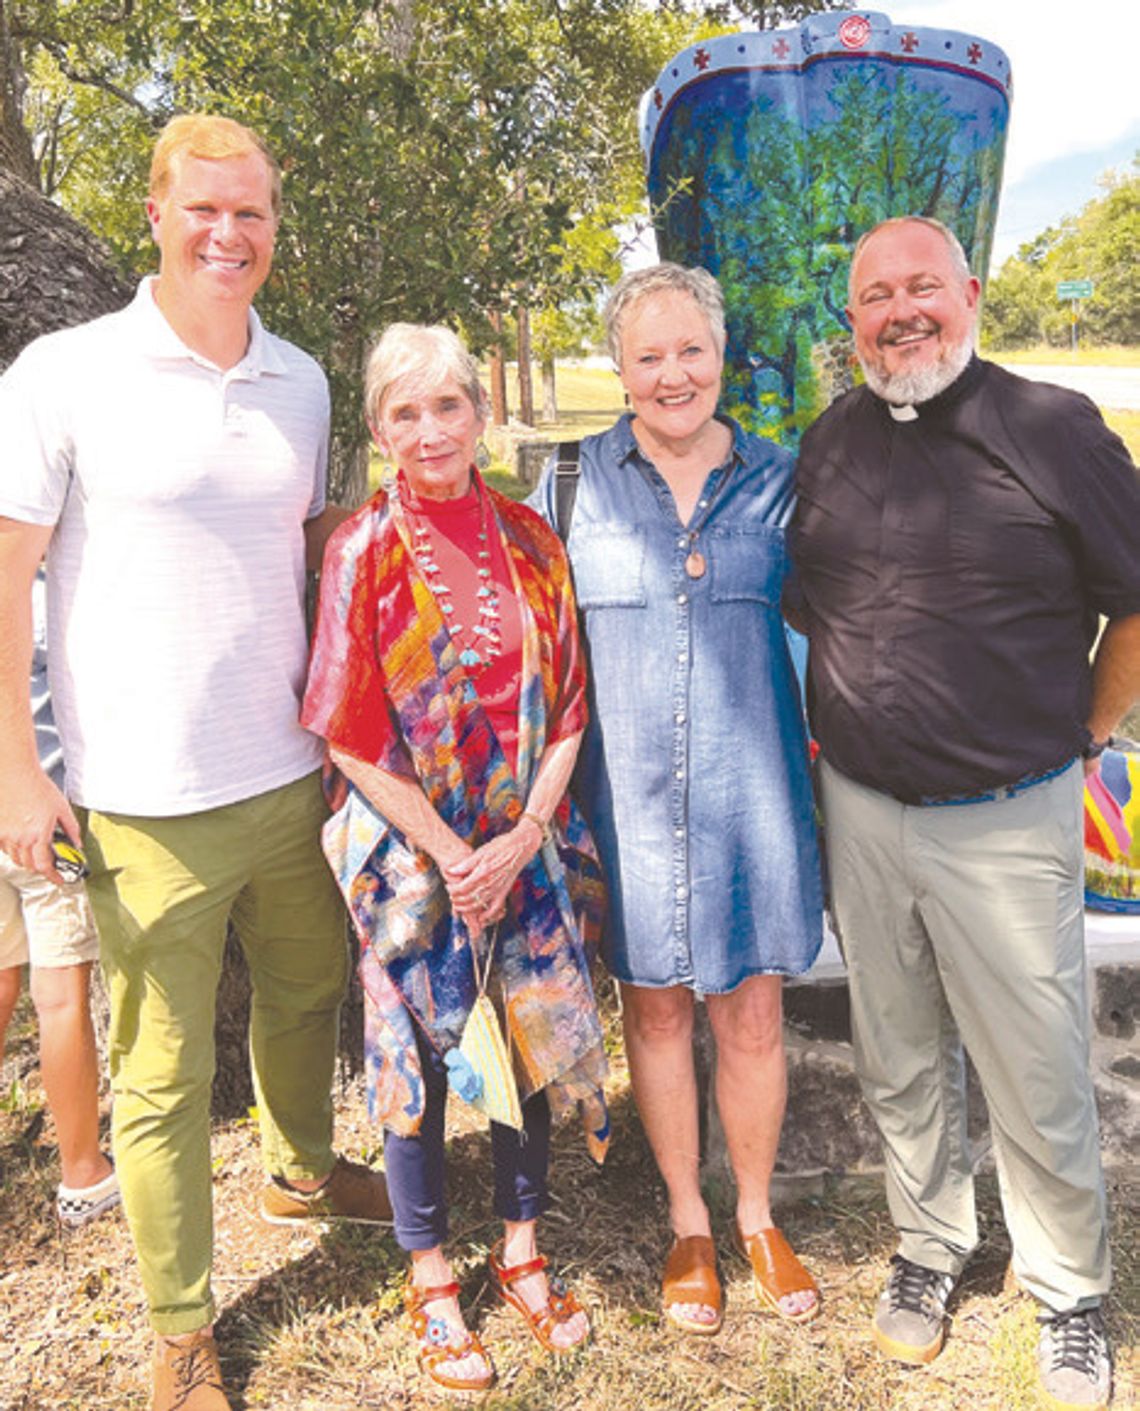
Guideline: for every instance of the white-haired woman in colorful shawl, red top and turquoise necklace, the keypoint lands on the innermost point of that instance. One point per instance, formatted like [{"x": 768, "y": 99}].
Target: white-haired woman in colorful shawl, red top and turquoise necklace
[{"x": 448, "y": 681}]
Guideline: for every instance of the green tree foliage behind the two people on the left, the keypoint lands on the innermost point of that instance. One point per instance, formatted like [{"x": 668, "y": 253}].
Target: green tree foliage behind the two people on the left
[{"x": 442, "y": 159}]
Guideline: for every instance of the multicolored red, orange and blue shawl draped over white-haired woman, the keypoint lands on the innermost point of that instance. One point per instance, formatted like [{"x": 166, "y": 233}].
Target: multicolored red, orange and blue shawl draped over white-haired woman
[{"x": 387, "y": 686}]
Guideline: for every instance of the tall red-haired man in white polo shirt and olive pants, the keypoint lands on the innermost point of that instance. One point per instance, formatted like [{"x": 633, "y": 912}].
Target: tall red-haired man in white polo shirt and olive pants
[{"x": 170, "y": 459}]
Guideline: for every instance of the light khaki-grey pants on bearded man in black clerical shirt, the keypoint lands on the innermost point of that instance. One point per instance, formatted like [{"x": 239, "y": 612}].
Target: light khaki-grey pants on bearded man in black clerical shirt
[{"x": 966, "y": 923}]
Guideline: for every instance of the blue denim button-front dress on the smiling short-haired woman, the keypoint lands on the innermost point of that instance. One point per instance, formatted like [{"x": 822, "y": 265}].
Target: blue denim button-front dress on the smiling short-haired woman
[{"x": 693, "y": 771}]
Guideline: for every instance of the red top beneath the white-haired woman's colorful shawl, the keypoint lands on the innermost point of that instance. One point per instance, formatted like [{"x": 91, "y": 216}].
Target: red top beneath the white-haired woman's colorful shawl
[{"x": 454, "y": 534}]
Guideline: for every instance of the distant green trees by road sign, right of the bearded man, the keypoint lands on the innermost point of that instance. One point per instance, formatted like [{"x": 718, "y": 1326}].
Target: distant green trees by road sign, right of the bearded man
[{"x": 1101, "y": 245}]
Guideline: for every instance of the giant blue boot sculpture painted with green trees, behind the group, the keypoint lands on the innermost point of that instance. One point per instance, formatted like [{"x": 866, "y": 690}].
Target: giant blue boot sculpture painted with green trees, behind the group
[{"x": 768, "y": 157}]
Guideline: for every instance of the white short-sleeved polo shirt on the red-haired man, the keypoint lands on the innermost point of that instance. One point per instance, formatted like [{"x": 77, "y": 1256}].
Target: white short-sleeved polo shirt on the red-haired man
[{"x": 177, "y": 568}]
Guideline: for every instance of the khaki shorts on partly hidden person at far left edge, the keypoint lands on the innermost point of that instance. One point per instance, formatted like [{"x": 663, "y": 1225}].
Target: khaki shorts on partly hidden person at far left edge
[{"x": 42, "y": 923}]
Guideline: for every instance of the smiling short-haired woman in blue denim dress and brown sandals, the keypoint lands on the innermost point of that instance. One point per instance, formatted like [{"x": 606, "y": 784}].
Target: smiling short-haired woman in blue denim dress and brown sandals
[{"x": 695, "y": 773}]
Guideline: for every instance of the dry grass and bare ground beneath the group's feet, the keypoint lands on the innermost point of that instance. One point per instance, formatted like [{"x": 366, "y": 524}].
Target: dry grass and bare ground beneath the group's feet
[{"x": 311, "y": 1320}]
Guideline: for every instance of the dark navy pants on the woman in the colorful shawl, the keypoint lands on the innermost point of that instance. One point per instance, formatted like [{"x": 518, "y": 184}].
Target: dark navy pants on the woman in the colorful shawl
[{"x": 416, "y": 1166}]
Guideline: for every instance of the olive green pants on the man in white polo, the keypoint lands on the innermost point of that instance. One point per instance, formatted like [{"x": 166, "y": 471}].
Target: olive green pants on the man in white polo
[{"x": 163, "y": 891}]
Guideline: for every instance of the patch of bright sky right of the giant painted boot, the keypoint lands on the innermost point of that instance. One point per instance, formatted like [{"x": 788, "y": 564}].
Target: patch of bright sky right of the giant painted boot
[{"x": 1076, "y": 99}]
